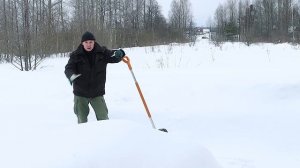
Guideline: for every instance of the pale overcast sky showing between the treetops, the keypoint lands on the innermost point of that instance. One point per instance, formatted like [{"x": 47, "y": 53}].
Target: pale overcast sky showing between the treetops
[{"x": 202, "y": 9}]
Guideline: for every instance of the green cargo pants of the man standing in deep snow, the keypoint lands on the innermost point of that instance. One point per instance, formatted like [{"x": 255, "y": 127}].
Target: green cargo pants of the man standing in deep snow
[{"x": 81, "y": 108}]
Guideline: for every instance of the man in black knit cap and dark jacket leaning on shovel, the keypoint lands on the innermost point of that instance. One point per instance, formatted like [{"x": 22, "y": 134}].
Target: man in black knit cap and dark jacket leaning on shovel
[{"x": 86, "y": 70}]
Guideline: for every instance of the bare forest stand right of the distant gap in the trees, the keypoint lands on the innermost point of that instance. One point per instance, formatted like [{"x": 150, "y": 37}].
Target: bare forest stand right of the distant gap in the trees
[{"x": 253, "y": 21}]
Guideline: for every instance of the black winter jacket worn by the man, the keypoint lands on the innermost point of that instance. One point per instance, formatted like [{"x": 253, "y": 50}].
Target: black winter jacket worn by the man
[{"x": 91, "y": 83}]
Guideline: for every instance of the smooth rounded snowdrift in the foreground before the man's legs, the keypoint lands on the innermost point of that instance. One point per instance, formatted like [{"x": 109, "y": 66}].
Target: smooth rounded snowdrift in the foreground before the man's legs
[{"x": 109, "y": 144}]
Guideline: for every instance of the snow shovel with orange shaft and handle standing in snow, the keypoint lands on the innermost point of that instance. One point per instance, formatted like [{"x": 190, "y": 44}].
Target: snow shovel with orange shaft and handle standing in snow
[{"x": 127, "y": 61}]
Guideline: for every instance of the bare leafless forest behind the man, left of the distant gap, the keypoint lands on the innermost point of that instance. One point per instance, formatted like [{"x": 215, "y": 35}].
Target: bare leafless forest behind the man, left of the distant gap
[{"x": 32, "y": 30}]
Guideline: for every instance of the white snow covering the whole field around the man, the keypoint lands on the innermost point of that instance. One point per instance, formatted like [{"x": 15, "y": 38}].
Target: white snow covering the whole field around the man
[{"x": 229, "y": 106}]
